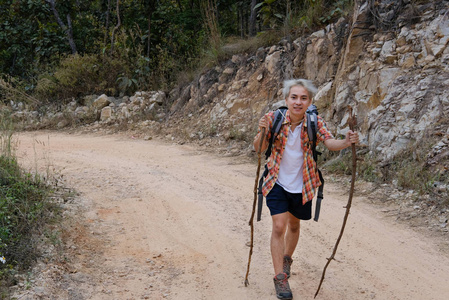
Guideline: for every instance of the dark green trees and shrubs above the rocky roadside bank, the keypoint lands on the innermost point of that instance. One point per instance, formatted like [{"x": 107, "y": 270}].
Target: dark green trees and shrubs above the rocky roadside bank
[{"x": 55, "y": 50}]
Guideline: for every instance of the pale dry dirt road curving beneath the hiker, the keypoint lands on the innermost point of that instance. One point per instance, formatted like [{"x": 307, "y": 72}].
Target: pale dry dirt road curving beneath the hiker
[{"x": 166, "y": 221}]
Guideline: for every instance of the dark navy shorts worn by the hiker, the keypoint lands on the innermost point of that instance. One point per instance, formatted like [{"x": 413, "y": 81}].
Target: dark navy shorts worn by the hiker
[{"x": 280, "y": 201}]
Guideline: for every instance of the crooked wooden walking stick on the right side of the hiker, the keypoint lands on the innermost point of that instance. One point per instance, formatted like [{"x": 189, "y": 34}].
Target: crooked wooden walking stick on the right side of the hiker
[{"x": 352, "y": 123}]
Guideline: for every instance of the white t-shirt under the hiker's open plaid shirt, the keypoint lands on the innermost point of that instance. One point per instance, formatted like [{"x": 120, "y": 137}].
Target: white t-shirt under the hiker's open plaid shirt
[{"x": 290, "y": 169}]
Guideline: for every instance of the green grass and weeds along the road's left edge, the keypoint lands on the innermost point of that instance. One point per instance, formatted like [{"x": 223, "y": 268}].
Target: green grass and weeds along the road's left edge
[{"x": 25, "y": 208}]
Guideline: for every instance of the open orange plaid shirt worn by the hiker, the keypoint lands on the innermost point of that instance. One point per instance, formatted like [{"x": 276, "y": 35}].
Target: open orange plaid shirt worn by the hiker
[{"x": 311, "y": 179}]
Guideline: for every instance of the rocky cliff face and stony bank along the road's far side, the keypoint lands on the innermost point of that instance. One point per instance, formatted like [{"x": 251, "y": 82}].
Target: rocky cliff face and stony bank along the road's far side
[{"x": 389, "y": 61}]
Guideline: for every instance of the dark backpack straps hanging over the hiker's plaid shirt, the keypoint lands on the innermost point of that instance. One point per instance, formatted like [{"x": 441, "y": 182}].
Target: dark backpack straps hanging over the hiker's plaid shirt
[{"x": 312, "y": 125}]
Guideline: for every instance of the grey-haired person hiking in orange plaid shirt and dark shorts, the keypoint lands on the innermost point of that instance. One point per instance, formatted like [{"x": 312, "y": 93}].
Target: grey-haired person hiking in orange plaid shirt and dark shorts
[{"x": 292, "y": 177}]
